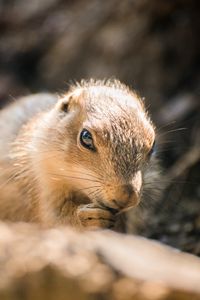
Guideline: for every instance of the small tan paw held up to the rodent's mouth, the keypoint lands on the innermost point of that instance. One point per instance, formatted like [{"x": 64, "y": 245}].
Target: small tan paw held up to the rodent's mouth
[{"x": 94, "y": 217}]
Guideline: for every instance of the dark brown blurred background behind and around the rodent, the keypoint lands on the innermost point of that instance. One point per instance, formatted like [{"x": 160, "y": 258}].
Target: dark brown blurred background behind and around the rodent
[{"x": 151, "y": 45}]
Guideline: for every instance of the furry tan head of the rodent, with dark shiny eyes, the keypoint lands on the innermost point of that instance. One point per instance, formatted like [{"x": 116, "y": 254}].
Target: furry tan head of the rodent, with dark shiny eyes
[{"x": 104, "y": 139}]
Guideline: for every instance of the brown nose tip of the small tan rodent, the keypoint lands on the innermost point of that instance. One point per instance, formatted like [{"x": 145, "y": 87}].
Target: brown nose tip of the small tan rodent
[{"x": 125, "y": 196}]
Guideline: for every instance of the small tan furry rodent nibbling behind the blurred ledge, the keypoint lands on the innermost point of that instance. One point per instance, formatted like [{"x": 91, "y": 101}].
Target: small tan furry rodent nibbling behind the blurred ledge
[{"x": 78, "y": 159}]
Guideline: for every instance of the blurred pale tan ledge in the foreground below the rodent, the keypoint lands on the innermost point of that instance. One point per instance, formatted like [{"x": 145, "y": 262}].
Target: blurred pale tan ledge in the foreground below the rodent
[{"x": 63, "y": 264}]
